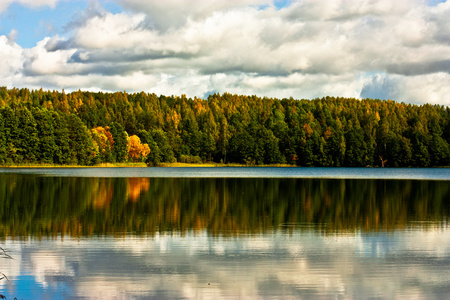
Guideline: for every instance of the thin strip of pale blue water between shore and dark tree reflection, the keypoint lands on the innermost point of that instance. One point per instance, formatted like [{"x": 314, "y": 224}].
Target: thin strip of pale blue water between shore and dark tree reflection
[{"x": 244, "y": 172}]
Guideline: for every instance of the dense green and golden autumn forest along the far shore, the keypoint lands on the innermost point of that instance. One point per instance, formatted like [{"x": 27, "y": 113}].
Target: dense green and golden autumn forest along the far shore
[{"x": 87, "y": 128}]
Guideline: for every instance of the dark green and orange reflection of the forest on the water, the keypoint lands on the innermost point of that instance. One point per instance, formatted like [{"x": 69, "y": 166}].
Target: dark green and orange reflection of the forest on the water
[{"x": 46, "y": 206}]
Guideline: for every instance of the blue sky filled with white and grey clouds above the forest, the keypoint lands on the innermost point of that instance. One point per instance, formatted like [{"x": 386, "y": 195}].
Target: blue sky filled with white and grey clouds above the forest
[{"x": 381, "y": 49}]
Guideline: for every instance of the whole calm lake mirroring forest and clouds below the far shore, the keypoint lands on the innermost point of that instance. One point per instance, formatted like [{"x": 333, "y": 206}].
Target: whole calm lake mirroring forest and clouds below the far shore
[{"x": 225, "y": 233}]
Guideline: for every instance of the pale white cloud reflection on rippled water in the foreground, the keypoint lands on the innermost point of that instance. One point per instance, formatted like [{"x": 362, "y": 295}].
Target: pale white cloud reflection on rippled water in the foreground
[{"x": 403, "y": 264}]
